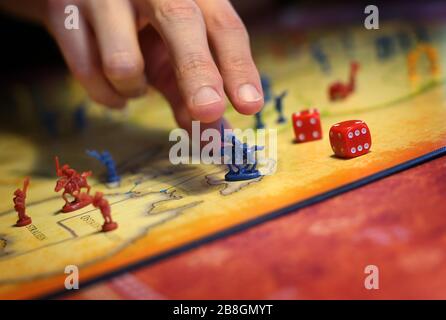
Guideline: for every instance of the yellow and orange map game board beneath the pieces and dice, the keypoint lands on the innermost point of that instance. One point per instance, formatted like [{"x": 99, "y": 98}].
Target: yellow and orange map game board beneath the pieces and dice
[{"x": 161, "y": 208}]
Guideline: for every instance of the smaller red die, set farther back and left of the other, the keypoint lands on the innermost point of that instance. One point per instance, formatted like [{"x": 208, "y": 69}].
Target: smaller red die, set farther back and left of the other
[{"x": 307, "y": 125}]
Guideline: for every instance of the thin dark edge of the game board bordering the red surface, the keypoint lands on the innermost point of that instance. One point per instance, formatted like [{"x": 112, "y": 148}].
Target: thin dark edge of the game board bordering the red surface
[{"x": 264, "y": 218}]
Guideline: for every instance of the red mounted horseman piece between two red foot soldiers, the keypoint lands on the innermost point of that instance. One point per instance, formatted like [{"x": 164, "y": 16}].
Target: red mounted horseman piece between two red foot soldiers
[{"x": 72, "y": 183}]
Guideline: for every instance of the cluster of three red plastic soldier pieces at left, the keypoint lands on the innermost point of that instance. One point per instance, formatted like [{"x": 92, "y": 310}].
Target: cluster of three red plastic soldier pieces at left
[{"x": 72, "y": 184}]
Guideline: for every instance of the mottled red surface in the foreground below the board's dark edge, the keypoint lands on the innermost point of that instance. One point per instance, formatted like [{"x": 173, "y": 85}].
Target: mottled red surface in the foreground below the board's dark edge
[{"x": 397, "y": 224}]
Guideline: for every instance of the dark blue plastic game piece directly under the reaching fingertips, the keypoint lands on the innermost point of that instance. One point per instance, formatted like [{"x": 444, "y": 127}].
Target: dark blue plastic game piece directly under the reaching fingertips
[{"x": 242, "y": 160}]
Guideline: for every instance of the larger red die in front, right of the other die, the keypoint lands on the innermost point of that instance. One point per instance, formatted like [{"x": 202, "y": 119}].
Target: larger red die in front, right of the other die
[{"x": 350, "y": 139}]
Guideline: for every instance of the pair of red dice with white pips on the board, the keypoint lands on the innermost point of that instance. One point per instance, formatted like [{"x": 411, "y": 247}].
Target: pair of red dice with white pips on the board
[{"x": 348, "y": 139}]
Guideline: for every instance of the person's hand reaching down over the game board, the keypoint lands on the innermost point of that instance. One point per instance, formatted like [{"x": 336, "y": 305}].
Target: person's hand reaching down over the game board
[{"x": 193, "y": 51}]
